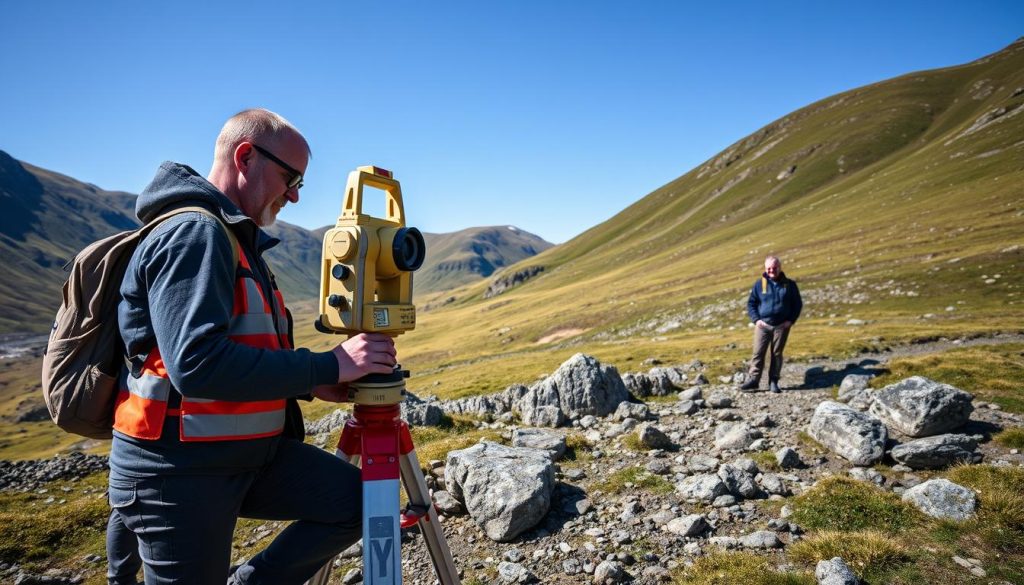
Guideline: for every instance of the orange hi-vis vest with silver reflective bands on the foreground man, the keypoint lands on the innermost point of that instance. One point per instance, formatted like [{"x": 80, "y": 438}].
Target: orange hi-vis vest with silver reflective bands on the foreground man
[{"x": 143, "y": 407}]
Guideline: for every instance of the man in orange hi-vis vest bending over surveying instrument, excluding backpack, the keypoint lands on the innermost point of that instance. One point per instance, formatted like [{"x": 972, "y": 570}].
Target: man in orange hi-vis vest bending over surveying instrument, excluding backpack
[{"x": 200, "y": 433}]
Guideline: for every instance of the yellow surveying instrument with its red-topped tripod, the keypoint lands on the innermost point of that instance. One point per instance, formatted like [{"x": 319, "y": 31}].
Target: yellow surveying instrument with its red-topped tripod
[{"x": 367, "y": 286}]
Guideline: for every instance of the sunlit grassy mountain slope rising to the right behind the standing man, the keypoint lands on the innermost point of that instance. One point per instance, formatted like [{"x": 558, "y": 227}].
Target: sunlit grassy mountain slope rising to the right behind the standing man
[{"x": 900, "y": 204}]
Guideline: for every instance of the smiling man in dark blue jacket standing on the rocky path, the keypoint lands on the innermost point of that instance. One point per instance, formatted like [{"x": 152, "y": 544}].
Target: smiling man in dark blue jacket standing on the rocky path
[{"x": 774, "y": 307}]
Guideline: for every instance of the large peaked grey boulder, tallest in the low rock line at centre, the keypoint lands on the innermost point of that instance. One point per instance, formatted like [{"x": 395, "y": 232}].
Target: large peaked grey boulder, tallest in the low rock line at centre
[{"x": 581, "y": 387}]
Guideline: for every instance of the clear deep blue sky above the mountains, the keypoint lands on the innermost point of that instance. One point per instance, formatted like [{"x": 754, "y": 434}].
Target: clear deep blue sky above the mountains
[{"x": 549, "y": 116}]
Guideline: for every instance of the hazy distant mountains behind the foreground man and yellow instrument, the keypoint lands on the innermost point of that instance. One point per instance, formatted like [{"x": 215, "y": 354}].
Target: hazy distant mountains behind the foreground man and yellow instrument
[{"x": 48, "y": 218}]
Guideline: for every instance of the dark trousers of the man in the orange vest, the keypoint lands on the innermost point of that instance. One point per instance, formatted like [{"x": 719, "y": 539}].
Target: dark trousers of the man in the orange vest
[{"x": 185, "y": 524}]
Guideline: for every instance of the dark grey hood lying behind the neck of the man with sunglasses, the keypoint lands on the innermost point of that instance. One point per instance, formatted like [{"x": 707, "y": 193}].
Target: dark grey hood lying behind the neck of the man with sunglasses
[{"x": 178, "y": 185}]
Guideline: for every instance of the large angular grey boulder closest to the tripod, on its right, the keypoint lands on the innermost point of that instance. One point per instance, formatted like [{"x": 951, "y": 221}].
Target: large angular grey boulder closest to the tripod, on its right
[{"x": 506, "y": 490}]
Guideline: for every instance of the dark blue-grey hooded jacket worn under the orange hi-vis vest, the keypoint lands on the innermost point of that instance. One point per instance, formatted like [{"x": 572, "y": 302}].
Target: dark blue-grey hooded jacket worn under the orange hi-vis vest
[{"x": 178, "y": 295}]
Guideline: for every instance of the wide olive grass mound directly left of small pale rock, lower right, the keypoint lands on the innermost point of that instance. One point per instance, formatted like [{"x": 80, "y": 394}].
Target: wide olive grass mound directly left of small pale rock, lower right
[{"x": 845, "y": 505}]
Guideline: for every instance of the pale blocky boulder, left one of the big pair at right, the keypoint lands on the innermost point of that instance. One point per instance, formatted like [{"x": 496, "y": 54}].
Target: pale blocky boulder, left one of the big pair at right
[{"x": 859, "y": 438}]
